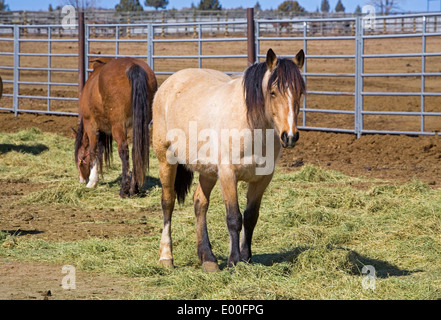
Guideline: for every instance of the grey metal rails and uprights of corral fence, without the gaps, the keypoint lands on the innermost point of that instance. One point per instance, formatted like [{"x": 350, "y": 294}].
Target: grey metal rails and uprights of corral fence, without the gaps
[{"x": 303, "y": 29}]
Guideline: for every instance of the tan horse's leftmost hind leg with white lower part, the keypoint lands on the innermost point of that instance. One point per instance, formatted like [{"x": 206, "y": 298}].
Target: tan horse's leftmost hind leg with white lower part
[{"x": 167, "y": 174}]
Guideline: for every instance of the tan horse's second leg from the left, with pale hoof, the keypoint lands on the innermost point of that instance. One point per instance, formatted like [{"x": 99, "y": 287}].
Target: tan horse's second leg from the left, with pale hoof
[{"x": 201, "y": 202}]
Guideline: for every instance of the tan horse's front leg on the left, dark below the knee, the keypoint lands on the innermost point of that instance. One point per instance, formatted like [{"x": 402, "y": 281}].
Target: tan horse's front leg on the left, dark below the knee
[{"x": 228, "y": 184}]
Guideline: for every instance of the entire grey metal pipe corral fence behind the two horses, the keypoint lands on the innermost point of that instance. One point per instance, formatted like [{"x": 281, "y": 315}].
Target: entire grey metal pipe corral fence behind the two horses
[{"x": 366, "y": 64}]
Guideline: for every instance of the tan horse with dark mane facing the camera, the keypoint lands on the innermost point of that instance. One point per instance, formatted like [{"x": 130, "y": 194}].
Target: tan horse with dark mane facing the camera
[{"x": 226, "y": 123}]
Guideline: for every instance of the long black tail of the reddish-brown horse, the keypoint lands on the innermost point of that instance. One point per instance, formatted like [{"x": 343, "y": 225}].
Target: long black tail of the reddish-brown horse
[{"x": 141, "y": 111}]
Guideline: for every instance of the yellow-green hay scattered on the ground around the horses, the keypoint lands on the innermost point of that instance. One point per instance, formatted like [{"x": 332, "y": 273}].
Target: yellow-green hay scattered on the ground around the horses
[{"x": 315, "y": 233}]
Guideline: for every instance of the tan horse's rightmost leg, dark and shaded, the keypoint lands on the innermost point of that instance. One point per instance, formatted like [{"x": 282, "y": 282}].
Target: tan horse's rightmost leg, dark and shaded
[{"x": 251, "y": 214}]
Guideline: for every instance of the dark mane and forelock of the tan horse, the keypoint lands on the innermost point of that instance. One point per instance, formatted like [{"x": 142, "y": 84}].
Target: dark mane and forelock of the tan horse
[{"x": 285, "y": 76}]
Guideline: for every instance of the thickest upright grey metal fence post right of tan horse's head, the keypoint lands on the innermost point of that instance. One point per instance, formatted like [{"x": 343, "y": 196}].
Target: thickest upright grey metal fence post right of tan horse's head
[{"x": 358, "y": 115}]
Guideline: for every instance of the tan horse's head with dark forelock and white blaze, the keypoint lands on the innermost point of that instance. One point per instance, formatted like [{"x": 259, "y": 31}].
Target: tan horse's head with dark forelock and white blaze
[{"x": 273, "y": 92}]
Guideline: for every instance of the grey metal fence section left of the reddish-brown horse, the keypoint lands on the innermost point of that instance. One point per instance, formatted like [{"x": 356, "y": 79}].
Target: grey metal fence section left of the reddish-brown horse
[{"x": 32, "y": 67}]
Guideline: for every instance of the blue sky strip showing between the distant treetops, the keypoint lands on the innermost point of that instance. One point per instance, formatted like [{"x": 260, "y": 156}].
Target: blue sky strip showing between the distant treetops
[{"x": 310, "y": 5}]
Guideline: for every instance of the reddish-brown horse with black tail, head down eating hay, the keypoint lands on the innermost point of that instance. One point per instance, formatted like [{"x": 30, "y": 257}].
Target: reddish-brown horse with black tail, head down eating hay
[{"x": 118, "y": 95}]
